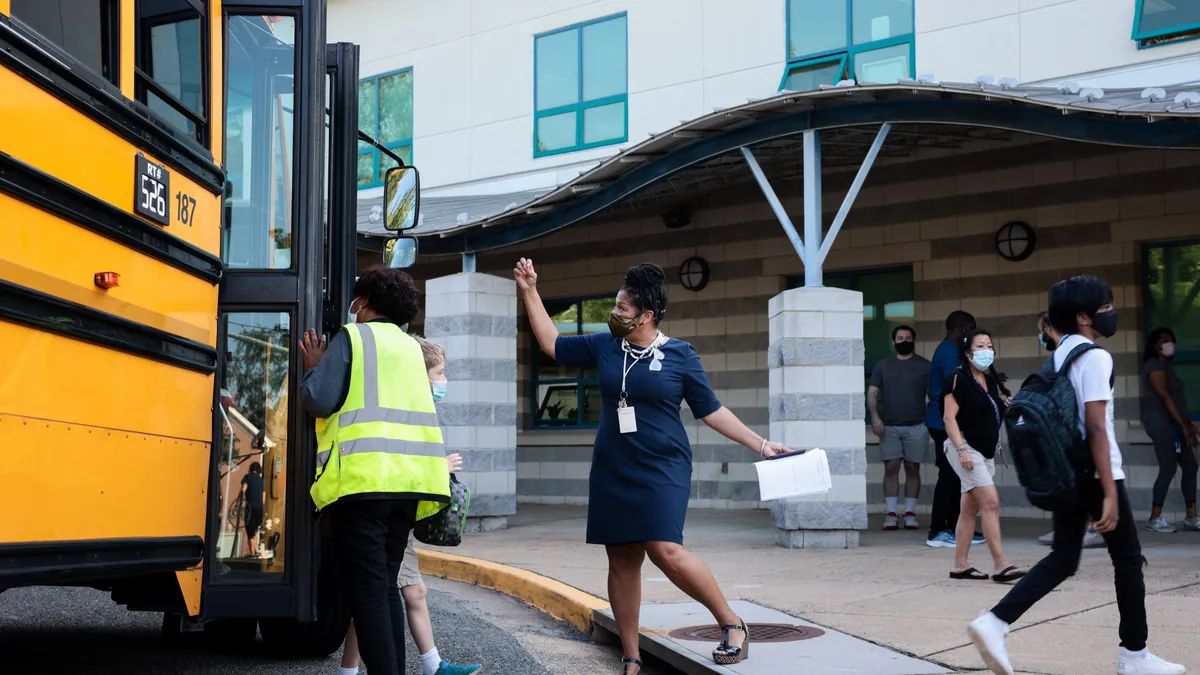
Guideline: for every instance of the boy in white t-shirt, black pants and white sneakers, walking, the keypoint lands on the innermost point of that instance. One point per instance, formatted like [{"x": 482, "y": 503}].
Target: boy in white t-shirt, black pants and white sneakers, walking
[{"x": 1082, "y": 309}]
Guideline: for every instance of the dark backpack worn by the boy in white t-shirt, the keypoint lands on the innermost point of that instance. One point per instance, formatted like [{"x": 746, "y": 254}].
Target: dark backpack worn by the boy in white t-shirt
[{"x": 1043, "y": 437}]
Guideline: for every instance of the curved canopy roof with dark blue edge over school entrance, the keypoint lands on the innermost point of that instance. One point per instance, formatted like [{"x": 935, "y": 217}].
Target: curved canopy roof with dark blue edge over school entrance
[{"x": 703, "y": 154}]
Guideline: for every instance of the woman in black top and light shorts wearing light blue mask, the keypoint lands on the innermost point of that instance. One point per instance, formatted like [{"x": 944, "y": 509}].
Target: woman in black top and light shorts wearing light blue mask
[{"x": 974, "y": 405}]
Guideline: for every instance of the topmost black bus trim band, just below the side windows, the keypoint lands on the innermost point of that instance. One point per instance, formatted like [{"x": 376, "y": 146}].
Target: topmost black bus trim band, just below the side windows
[{"x": 63, "y": 76}]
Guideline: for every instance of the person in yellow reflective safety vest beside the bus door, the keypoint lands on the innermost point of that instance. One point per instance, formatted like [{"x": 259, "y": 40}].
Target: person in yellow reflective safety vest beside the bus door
[{"x": 381, "y": 459}]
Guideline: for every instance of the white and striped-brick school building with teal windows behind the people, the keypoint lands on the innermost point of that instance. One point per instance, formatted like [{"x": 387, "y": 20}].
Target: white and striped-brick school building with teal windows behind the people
[{"x": 920, "y": 157}]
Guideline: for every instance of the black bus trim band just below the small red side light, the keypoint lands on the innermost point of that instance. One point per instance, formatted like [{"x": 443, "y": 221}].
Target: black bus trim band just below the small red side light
[{"x": 35, "y": 309}]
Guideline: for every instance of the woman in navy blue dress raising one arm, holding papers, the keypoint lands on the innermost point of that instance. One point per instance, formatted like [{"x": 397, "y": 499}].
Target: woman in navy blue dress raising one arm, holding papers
[{"x": 641, "y": 464}]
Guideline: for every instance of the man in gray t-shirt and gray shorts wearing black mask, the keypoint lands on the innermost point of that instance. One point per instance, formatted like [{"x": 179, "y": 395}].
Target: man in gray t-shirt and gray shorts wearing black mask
[{"x": 904, "y": 380}]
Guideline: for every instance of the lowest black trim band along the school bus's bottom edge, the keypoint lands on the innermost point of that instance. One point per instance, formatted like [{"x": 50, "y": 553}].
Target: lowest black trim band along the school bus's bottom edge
[{"x": 97, "y": 559}]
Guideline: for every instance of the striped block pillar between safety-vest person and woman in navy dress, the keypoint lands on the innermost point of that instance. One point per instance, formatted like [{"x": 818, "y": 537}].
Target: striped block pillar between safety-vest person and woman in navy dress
[{"x": 475, "y": 316}]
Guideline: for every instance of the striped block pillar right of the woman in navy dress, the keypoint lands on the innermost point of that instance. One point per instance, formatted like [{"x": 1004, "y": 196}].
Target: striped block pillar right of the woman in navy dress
[{"x": 818, "y": 401}]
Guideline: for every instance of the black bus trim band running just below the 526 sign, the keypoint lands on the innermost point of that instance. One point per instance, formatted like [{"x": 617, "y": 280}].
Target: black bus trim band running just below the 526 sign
[{"x": 49, "y": 194}]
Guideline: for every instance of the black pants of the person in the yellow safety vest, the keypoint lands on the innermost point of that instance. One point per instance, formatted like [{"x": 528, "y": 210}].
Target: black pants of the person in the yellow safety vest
[{"x": 370, "y": 536}]
